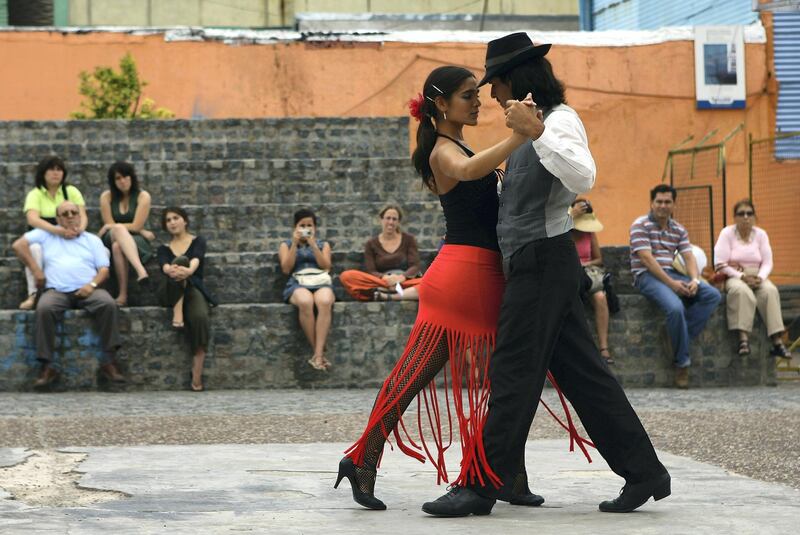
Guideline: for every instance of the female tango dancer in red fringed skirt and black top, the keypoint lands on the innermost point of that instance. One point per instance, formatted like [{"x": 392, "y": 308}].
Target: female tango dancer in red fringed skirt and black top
[{"x": 459, "y": 295}]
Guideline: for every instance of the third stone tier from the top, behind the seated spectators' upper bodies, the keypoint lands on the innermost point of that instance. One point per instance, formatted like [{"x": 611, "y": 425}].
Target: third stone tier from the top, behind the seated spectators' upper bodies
[{"x": 262, "y": 227}]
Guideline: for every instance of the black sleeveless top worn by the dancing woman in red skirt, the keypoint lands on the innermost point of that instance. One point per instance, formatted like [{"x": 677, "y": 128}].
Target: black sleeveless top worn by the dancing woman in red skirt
[{"x": 470, "y": 210}]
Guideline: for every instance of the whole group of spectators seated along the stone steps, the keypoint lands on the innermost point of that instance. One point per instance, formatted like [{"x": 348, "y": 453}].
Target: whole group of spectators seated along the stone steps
[{"x": 66, "y": 267}]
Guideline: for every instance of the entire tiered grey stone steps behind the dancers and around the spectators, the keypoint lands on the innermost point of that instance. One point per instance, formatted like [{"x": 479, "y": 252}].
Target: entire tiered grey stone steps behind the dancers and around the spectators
[{"x": 240, "y": 181}]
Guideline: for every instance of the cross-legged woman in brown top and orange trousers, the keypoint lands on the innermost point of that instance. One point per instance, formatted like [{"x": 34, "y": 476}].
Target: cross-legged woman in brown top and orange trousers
[{"x": 392, "y": 262}]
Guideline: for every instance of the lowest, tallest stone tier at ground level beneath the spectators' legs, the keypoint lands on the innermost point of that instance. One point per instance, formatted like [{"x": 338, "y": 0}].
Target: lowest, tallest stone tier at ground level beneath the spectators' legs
[{"x": 261, "y": 346}]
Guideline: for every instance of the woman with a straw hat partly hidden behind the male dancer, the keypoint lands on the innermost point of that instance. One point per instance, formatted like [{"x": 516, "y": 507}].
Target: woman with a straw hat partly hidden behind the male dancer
[{"x": 585, "y": 238}]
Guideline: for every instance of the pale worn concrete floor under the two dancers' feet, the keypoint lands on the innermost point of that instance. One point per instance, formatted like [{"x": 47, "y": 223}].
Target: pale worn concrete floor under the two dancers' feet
[{"x": 287, "y": 489}]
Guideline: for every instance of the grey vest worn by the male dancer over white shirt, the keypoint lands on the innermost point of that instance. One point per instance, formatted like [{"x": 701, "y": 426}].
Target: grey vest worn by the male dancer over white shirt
[{"x": 534, "y": 203}]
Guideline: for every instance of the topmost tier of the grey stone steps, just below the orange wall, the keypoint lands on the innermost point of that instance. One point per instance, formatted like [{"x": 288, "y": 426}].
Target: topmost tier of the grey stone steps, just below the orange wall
[{"x": 207, "y": 139}]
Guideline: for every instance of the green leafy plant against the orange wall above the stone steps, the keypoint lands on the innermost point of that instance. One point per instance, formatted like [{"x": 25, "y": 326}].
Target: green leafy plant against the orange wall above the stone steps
[{"x": 109, "y": 94}]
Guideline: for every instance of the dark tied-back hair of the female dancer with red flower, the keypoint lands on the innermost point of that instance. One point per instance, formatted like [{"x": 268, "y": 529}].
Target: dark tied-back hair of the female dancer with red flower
[{"x": 441, "y": 82}]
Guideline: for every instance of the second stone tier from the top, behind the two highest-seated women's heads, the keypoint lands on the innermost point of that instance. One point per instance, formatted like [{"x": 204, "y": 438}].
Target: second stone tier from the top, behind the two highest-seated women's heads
[{"x": 239, "y": 181}]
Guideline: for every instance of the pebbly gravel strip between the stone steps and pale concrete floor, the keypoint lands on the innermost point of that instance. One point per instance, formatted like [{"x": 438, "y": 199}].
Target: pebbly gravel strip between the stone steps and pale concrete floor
[{"x": 750, "y": 431}]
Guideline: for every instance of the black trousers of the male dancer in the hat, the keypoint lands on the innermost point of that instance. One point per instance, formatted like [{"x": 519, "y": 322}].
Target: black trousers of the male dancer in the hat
[{"x": 542, "y": 325}]
